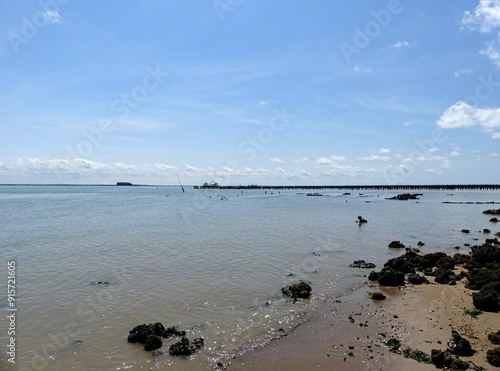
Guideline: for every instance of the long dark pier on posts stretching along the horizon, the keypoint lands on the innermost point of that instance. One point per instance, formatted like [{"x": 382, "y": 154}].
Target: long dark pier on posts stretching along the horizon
[{"x": 435, "y": 187}]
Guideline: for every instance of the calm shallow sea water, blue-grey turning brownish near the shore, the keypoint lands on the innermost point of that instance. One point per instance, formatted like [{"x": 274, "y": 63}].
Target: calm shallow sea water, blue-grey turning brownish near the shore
[{"x": 211, "y": 262}]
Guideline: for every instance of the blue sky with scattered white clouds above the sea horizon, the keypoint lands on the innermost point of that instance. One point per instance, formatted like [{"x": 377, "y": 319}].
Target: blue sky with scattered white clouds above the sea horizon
[{"x": 244, "y": 92}]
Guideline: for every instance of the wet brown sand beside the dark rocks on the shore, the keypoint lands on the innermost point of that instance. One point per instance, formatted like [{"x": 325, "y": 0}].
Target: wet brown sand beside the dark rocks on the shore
[{"x": 350, "y": 334}]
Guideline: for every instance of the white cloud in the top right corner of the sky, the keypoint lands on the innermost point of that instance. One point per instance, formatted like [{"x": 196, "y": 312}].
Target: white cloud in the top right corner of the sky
[{"x": 485, "y": 17}]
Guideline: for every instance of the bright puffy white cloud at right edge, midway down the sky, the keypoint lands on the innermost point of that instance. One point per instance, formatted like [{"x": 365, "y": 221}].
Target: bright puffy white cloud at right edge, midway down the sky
[{"x": 461, "y": 115}]
